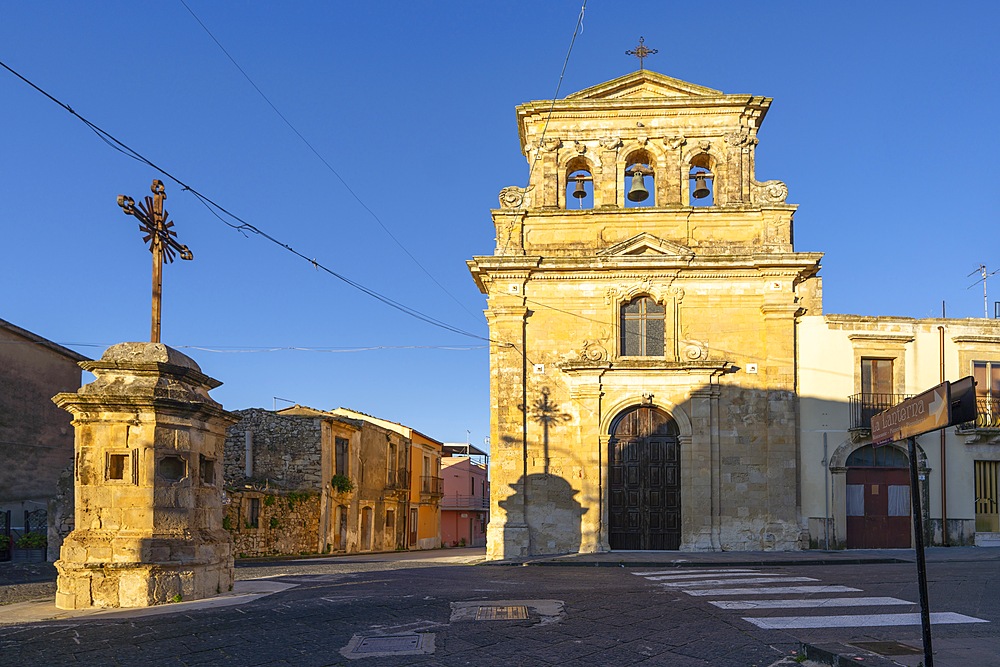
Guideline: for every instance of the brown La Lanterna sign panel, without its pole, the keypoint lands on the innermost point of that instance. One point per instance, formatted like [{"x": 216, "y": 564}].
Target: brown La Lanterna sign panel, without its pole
[{"x": 947, "y": 404}]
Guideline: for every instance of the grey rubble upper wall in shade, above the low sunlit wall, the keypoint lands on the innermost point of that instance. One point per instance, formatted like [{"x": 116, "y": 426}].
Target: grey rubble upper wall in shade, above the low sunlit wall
[{"x": 285, "y": 451}]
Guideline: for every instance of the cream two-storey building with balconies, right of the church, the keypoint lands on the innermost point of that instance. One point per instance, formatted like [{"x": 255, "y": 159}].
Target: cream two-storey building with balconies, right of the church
[{"x": 851, "y": 367}]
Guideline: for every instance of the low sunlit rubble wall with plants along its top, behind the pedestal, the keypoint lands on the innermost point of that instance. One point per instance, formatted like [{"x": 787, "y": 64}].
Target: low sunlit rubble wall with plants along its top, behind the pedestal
[{"x": 286, "y": 523}]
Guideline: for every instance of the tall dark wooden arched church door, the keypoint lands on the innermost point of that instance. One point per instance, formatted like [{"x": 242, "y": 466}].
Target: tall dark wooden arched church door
[{"x": 644, "y": 481}]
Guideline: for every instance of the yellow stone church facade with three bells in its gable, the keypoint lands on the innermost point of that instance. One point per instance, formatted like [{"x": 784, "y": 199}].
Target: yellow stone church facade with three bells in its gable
[{"x": 643, "y": 336}]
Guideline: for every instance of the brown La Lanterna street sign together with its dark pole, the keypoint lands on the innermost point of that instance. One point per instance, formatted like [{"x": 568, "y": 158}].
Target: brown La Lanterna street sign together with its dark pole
[{"x": 948, "y": 404}]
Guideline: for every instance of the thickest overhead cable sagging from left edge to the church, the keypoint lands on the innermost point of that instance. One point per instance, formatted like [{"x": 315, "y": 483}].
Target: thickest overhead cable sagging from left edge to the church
[{"x": 243, "y": 225}]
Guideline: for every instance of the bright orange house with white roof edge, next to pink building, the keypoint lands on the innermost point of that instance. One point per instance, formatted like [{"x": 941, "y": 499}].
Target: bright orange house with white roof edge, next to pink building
[{"x": 423, "y": 517}]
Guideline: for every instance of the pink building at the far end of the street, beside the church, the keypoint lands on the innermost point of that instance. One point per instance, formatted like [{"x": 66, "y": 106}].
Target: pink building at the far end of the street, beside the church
[{"x": 465, "y": 507}]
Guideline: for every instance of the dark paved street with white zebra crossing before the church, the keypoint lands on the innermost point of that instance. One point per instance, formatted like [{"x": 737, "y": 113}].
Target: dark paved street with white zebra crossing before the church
[{"x": 438, "y": 608}]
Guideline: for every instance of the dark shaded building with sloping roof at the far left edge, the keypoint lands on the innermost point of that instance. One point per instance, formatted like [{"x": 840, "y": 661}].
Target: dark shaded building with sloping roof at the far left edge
[{"x": 36, "y": 437}]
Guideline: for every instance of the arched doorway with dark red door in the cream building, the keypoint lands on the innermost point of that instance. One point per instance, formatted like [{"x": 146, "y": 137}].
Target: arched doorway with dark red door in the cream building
[{"x": 878, "y": 498}]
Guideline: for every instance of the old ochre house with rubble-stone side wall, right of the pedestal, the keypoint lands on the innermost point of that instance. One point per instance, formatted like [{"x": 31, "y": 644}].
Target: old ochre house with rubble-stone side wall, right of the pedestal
[{"x": 302, "y": 480}]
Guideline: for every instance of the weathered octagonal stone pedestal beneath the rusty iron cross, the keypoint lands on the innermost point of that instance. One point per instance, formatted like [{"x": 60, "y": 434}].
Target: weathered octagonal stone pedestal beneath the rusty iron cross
[{"x": 148, "y": 483}]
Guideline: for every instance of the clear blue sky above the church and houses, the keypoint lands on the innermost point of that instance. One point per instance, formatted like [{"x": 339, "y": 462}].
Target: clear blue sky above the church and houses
[{"x": 884, "y": 127}]
